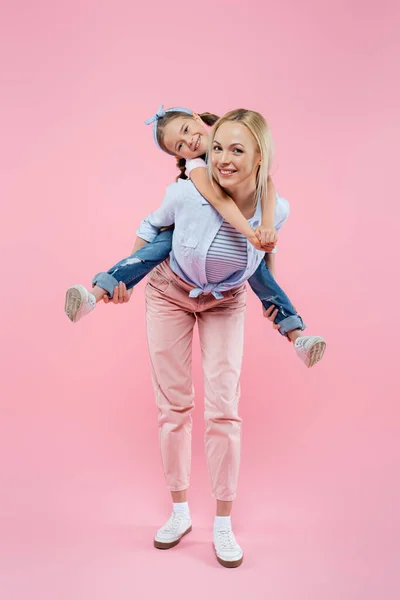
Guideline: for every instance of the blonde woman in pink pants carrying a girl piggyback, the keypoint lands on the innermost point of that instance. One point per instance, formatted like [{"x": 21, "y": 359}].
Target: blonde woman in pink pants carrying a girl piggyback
[{"x": 178, "y": 294}]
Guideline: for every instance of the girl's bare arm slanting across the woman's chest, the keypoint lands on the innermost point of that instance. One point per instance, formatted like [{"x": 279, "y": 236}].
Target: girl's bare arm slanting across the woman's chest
[{"x": 222, "y": 203}]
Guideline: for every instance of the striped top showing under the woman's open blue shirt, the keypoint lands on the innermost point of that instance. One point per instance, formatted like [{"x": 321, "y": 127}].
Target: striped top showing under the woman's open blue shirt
[{"x": 226, "y": 255}]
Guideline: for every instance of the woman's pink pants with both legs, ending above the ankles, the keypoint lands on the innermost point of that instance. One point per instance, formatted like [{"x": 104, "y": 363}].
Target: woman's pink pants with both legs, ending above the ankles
[{"x": 171, "y": 316}]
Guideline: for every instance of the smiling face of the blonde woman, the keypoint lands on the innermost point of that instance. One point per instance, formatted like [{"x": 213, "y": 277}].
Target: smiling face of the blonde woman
[{"x": 235, "y": 155}]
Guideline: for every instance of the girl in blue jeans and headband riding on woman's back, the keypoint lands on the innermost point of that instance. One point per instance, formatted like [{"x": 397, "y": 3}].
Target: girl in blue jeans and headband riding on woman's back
[{"x": 182, "y": 133}]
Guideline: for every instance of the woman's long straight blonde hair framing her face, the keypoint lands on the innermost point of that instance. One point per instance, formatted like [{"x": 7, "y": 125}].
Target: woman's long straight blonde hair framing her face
[{"x": 260, "y": 130}]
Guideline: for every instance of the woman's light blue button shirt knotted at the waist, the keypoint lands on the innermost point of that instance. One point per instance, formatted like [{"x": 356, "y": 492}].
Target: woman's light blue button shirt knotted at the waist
[{"x": 196, "y": 225}]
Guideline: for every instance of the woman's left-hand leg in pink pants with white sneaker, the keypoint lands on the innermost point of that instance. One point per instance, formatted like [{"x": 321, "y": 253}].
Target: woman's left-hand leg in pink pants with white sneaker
[{"x": 170, "y": 332}]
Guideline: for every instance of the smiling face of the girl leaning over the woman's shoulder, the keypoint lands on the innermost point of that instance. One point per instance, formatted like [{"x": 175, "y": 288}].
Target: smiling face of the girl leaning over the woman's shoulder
[{"x": 186, "y": 137}]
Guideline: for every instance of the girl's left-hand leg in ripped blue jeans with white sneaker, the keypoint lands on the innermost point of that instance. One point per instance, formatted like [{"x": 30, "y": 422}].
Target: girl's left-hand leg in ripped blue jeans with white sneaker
[{"x": 80, "y": 302}]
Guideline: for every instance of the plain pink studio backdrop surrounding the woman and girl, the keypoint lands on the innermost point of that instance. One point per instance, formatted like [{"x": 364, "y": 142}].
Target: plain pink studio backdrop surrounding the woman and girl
[{"x": 83, "y": 490}]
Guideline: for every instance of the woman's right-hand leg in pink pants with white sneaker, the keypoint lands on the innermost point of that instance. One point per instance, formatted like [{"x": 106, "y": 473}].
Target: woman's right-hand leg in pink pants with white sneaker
[{"x": 221, "y": 338}]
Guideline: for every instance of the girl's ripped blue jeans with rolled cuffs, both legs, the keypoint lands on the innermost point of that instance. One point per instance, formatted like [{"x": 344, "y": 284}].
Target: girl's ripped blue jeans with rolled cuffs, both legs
[{"x": 131, "y": 270}]
